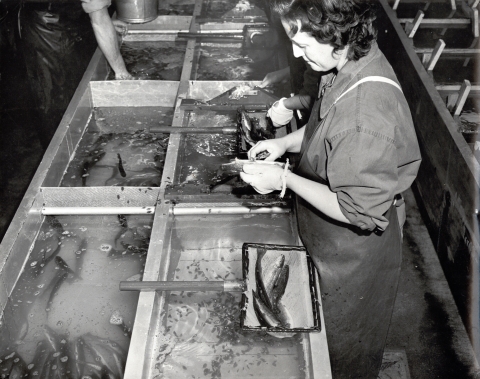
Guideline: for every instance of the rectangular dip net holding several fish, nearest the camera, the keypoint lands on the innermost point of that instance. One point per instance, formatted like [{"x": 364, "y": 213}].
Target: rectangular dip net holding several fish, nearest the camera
[{"x": 280, "y": 293}]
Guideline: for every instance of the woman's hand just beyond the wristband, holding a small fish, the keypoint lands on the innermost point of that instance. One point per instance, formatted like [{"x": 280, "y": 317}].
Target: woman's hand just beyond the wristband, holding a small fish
[{"x": 263, "y": 177}]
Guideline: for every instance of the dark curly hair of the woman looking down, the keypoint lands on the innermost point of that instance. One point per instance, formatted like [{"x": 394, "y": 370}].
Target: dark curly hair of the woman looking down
[{"x": 336, "y": 22}]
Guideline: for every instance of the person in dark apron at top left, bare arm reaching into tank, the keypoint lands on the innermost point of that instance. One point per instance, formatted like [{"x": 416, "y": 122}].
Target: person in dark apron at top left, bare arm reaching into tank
[{"x": 58, "y": 39}]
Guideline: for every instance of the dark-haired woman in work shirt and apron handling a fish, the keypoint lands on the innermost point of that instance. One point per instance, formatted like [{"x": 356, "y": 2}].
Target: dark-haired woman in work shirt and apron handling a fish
[{"x": 358, "y": 153}]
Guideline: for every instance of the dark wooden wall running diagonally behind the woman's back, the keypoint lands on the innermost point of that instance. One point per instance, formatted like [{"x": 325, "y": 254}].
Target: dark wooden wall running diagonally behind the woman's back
[{"x": 447, "y": 182}]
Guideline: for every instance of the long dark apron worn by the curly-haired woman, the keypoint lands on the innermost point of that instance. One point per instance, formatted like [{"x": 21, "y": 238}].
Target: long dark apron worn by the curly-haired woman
[{"x": 359, "y": 272}]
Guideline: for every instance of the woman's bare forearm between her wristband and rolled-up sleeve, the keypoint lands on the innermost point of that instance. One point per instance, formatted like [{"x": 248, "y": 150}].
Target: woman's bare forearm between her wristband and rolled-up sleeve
[{"x": 317, "y": 194}]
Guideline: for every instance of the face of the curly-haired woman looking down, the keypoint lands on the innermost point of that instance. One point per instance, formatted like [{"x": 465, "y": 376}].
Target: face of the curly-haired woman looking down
[{"x": 318, "y": 55}]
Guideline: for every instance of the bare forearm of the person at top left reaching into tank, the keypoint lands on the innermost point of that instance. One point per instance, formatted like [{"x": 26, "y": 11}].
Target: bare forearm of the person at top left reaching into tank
[{"x": 106, "y": 37}]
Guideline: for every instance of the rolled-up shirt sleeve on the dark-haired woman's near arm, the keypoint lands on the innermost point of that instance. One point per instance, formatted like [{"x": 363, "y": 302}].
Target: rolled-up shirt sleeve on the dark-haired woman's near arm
[{"x": 362, "y": 170}]
